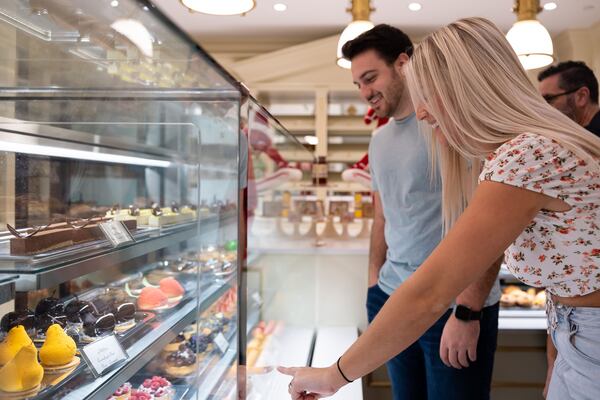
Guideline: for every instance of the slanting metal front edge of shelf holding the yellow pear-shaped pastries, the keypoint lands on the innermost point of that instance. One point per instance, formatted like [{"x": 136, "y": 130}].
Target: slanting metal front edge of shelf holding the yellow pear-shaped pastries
[{"x": 147, "y": 347}]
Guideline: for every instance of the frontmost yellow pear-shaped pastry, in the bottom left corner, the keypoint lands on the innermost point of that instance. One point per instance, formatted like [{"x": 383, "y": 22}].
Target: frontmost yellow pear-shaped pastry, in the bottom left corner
[{"x": 23, "y": 372}]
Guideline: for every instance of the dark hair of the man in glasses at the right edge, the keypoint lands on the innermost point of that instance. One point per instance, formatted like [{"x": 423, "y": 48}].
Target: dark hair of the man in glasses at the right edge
[{"x": 573, "y": 75}]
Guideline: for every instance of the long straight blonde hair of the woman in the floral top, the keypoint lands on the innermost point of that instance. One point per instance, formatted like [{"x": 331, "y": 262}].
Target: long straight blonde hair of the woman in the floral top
[{"x": 469, "y": 78}]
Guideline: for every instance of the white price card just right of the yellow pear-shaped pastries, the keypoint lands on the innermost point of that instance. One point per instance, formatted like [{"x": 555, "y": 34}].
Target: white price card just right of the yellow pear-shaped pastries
[{"x": 104, "y": 354}]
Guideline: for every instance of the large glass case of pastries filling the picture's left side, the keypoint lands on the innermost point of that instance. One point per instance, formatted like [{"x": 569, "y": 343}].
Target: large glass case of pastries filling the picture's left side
[{"x": 119, "y": 189}]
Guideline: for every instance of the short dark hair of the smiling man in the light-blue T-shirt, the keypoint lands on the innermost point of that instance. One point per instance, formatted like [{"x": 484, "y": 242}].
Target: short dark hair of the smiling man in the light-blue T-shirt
[{"x": 387, "y": 41}]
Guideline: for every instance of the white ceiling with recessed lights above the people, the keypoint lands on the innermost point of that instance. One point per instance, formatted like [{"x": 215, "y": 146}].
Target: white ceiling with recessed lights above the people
[{"x": 310, "y": 19}]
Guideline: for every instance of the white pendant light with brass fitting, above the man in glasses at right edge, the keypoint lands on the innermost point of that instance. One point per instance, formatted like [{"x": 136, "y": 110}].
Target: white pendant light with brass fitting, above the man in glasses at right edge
[{"x": 528, "y": 37}]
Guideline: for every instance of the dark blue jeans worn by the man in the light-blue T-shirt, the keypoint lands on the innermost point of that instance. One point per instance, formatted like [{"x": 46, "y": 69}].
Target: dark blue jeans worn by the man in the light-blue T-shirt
[{"x": 418, "y": 373}]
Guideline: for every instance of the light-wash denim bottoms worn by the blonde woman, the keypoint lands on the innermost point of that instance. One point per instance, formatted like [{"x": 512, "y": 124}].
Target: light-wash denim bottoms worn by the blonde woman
[{"x": 575, "y": 332}]
